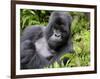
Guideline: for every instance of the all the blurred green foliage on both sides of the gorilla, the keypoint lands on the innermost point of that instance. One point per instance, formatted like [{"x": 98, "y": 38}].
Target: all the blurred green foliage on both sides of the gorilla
[{"x": 80, "y": 35}]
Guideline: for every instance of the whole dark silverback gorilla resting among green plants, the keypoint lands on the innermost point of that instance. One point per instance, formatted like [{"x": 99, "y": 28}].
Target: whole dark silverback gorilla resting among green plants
[{"x": 41, "y": 46}]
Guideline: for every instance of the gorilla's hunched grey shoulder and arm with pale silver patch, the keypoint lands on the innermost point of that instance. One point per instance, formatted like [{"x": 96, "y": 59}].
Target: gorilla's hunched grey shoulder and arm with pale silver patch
[{"x": 34, "y": 49}]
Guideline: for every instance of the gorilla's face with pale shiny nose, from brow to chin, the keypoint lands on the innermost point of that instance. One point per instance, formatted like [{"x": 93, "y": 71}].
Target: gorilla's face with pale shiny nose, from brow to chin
[{"x": 57, "y": 39}]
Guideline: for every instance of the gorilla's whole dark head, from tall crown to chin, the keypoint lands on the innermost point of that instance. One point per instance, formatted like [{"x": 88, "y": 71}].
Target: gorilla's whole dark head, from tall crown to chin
[{"x": 58, "y": 30}]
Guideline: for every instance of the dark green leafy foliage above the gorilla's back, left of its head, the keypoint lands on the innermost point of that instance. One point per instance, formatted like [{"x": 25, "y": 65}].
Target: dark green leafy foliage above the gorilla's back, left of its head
[{"x": 33, "y": 17}]
